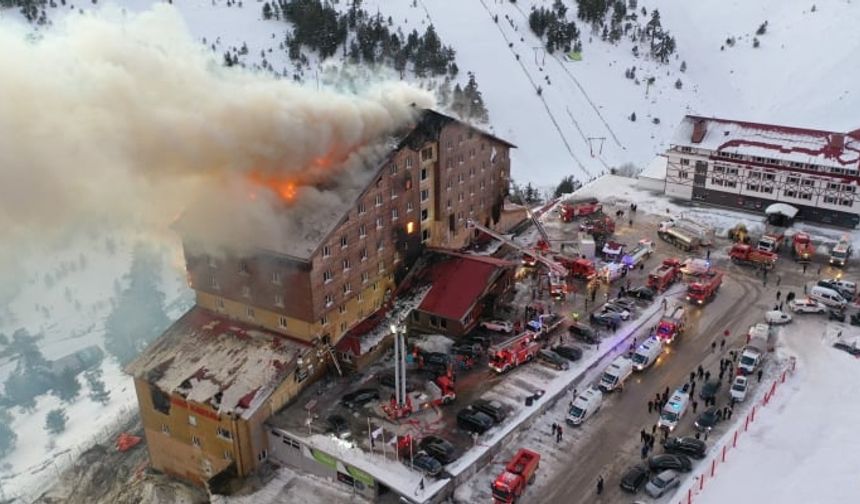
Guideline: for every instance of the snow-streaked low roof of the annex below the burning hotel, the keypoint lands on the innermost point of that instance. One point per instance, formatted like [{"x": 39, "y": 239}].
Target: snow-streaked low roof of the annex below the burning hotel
[{"x": 203, "y": 355}]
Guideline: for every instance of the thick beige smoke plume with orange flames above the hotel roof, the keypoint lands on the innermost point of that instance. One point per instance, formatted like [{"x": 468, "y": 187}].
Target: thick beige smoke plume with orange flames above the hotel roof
[{"x": 127, "y": 119}]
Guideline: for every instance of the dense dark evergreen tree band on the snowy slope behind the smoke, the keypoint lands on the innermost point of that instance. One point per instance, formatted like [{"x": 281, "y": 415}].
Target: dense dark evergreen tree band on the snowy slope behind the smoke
[{"x": 324, "y": 30}]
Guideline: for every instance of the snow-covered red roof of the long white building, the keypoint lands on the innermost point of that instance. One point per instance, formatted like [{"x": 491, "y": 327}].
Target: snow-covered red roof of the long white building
[{"x": 824, "y": 148}]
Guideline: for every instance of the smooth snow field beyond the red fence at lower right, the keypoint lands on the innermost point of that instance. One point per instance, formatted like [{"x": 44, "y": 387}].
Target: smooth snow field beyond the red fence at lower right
[{"x": 802, "y": 446}]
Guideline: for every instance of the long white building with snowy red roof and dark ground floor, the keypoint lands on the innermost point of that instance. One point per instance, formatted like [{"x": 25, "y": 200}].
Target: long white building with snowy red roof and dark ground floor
[{"x": 746, "y": 165}]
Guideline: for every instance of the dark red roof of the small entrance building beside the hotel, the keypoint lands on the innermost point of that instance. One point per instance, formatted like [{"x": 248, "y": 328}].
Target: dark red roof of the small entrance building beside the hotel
[{"x": 457, "y": 285}]
